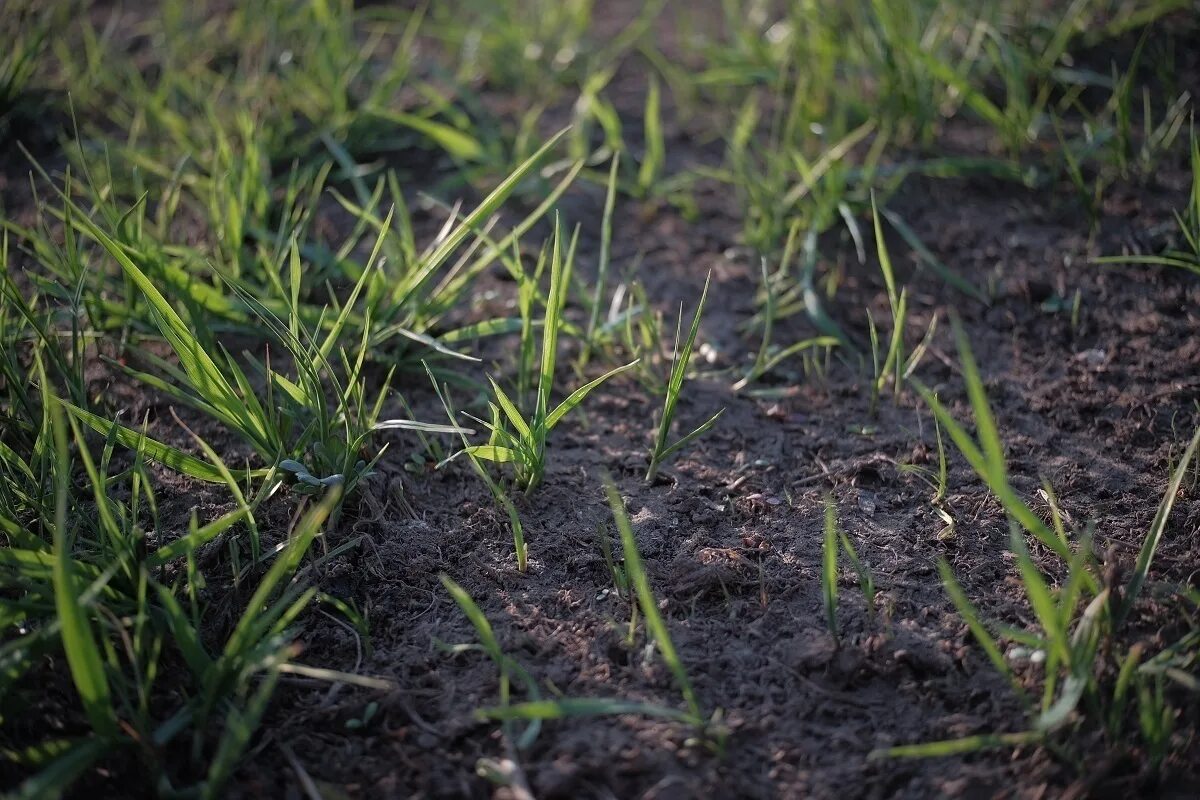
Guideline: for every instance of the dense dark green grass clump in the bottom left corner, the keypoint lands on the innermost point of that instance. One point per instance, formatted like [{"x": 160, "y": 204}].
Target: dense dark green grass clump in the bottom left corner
[{"x": 81, "y": 581}]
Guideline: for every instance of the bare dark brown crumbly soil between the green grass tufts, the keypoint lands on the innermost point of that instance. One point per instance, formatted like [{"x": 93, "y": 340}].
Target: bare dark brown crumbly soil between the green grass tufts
[{"x": 731, "y": 533}]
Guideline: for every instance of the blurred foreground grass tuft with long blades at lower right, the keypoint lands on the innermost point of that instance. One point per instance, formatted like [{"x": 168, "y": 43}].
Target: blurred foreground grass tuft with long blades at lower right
[{"x": 1083, "y": 666}]
